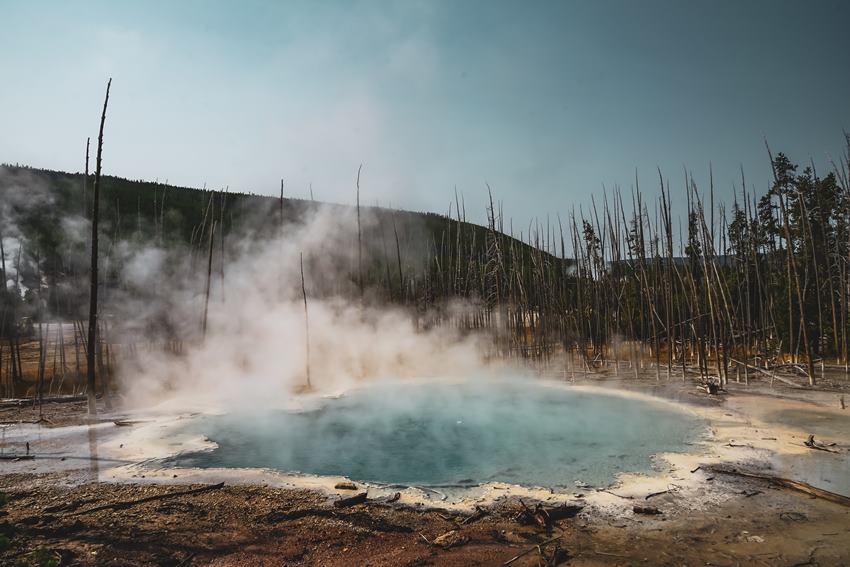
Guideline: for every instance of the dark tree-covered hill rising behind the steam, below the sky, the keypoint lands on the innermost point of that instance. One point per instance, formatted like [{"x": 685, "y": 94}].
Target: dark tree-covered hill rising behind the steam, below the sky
[{"x": 409, "y": 257}]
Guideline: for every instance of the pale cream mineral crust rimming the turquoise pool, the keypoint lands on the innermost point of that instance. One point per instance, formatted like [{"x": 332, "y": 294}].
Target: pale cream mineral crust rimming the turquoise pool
[{"x": 739, "y": 433}]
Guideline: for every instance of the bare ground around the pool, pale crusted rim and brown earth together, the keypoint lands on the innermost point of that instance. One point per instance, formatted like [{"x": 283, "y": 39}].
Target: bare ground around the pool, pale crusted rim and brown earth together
[{"x": 705, "y": 518}]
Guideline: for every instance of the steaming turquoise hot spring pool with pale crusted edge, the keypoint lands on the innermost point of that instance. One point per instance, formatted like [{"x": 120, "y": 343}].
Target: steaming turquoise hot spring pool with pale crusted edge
[{"x": 521, "y": 432}]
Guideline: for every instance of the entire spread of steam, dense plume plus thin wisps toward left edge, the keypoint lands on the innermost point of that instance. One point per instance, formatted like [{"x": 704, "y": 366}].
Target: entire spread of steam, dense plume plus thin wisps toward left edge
[{"x": 254, "y": 351}]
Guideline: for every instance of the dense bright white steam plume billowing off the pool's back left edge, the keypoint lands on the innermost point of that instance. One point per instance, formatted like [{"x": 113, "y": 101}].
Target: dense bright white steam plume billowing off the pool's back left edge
[{"x": 254, "y": 353}]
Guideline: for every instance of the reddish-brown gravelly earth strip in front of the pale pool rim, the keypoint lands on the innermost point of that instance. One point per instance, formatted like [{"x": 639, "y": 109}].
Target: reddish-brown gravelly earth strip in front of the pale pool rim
[{"x": 59, "y": 517}]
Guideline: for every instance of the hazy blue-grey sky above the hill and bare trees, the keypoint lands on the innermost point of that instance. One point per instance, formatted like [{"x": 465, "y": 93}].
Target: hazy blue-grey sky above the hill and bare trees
[{"x": 546, "y": 101}]
